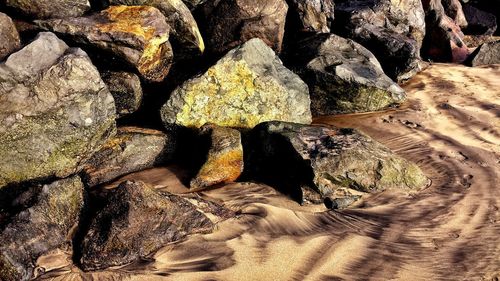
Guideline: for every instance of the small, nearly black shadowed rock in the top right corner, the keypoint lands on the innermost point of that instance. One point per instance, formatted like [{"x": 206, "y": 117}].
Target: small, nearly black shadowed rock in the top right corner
[{"x": 479, "y": 22}]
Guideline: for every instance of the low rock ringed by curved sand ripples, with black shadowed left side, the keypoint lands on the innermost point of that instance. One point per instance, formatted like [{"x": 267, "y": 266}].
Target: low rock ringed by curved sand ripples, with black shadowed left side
[{"x": 337, "y": 162}]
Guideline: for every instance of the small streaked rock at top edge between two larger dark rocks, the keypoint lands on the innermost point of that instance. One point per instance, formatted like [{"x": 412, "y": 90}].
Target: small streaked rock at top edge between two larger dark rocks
[{"x": 315, "y": 16}]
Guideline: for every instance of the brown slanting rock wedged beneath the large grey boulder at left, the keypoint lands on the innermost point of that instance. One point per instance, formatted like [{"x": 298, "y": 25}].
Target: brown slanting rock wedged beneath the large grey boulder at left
[{"x": 132, "y": 149}]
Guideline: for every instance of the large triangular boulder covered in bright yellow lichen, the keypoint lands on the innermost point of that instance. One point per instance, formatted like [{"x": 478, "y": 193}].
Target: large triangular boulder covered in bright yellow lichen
[{"x": 246, "y": 87}]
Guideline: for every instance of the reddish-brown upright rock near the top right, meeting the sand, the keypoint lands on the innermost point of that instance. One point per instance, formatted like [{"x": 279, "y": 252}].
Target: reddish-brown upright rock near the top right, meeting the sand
[{"x": 443, "y": 41}]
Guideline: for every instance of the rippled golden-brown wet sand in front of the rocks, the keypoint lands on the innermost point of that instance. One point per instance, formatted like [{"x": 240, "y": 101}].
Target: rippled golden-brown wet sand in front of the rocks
[{"x": 450, "y": 127}]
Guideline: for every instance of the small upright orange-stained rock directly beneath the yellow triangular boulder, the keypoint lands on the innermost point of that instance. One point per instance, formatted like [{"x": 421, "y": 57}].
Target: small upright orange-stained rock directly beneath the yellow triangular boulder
[{"x": 225, "y": 158}]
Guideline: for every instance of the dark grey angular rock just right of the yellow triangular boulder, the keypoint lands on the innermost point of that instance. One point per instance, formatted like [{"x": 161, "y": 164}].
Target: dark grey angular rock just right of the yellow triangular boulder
[{"x": 344, "y": 77}]
